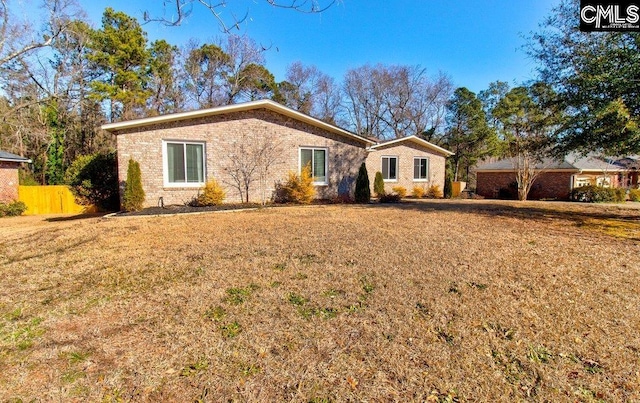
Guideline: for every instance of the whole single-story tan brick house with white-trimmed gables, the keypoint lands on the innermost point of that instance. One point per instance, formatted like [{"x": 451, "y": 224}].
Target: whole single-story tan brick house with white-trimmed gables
[{"x": 178, "y": 153}]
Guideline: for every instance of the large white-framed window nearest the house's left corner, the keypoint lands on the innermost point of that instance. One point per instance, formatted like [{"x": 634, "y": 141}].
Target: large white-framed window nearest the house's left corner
[{"x": 184, "y": 163}]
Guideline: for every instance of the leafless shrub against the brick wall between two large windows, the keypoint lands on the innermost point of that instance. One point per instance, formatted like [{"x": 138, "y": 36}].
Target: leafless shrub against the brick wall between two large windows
[{"x": 252, "y": 159}]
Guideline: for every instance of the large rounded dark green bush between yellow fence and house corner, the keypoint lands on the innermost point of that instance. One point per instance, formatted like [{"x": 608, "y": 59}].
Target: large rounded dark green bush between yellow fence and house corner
[{"x": 94, "y": 180}]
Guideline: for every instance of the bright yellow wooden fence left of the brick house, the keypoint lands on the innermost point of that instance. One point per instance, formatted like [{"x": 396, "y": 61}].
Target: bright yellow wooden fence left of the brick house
[{"x": 50, "y": 200}]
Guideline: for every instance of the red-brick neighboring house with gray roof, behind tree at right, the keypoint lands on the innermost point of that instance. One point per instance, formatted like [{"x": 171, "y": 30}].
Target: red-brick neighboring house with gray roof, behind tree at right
[{"x": 555, "y": 181}]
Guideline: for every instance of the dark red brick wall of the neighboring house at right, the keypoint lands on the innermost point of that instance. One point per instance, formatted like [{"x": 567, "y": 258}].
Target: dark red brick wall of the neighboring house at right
[{"x": 548, "y": 185}]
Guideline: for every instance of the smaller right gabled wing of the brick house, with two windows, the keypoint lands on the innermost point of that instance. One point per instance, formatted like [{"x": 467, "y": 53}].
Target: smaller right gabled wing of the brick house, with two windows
[{"x": 408, "y": 162}]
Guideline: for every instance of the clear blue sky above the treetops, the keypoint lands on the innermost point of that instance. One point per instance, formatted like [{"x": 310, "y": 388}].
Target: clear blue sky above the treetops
[{"x": 474, "y": 42}]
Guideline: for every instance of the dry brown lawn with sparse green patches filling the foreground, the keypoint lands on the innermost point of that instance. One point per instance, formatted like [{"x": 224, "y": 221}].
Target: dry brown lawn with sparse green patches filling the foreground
[{"x": 430, "y": 301}]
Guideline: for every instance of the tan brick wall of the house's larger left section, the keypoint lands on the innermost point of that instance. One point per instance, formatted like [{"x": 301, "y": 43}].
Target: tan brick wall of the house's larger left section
[{"x": 219, "y": 133}]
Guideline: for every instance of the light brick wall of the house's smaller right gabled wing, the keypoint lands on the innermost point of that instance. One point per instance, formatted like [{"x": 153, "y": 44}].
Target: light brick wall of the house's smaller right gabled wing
[{"x": 406, "y": 151}]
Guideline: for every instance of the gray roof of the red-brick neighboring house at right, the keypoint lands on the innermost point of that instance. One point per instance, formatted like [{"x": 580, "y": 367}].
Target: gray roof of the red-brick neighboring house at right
[{"x": 571, "y": 162}]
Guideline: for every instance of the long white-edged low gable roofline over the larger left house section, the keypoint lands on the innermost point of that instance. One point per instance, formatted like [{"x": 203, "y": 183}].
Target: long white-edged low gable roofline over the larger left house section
[{"x": 246, "y": 106}]
